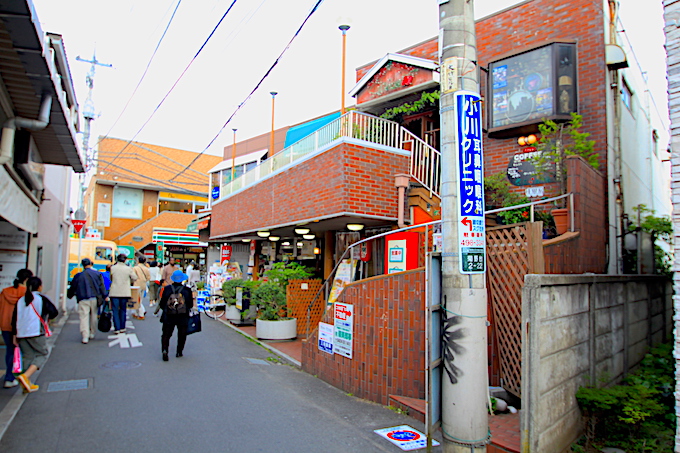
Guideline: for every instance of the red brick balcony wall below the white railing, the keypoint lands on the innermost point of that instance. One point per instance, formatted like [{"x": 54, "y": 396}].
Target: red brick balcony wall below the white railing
[{"x": 347, "y": 178}]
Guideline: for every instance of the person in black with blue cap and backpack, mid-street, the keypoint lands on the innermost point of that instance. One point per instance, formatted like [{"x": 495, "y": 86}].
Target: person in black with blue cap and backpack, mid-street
[{"x": 175, "y": 302}]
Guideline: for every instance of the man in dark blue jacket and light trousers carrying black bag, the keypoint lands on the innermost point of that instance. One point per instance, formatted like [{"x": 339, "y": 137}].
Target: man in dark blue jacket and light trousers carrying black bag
[{"x": 88, "y": 286}]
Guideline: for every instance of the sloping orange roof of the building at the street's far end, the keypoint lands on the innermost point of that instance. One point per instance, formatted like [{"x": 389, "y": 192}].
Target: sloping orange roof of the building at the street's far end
[{"x": 152, "y": 167}]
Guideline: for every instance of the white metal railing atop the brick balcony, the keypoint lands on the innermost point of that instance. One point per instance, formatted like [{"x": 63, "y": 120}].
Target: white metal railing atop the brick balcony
[{"x": 424, "y": 159}]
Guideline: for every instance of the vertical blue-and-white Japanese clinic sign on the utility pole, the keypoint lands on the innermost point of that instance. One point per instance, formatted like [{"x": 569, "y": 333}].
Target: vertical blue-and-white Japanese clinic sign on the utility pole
[{"x": 471, "y": 228}]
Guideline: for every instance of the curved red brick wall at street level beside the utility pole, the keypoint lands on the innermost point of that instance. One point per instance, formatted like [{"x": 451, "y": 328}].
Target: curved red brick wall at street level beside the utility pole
[{"x": 389, "y": 340}]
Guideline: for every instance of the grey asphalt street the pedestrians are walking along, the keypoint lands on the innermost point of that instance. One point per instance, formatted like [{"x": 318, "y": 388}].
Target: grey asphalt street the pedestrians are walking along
[{"x": 227, "y": 394}]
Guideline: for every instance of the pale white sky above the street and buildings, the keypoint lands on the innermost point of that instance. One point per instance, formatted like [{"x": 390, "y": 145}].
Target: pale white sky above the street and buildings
[{"x": 252, "y": 35}]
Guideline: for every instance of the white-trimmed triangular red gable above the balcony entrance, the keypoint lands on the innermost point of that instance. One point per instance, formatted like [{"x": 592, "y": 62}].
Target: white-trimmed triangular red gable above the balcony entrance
[{"x": 394, "y": 73}]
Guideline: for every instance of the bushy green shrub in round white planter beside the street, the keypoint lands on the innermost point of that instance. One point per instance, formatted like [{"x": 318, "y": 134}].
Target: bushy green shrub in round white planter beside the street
[{"x": 273, "y": 322}]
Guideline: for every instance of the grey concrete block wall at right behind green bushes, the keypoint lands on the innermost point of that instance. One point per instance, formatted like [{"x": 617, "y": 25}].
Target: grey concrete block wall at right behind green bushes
[{"x": 577, "y": 331}]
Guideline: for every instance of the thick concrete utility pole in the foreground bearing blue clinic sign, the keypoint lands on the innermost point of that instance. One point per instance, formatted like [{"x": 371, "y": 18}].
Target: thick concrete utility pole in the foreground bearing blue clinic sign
[{"x": 465, "y": 389}]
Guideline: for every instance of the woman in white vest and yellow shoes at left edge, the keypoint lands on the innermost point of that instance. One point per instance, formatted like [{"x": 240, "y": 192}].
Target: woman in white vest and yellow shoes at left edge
[{"x": 29, "y": 327}]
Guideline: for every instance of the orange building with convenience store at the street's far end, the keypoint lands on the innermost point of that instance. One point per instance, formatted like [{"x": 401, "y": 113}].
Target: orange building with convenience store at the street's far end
[{"x": 144, "y": 194}]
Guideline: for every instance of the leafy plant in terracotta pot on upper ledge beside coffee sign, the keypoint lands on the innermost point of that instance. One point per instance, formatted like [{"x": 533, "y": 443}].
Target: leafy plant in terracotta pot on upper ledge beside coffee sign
[{"x": 559, "y": 141}]
